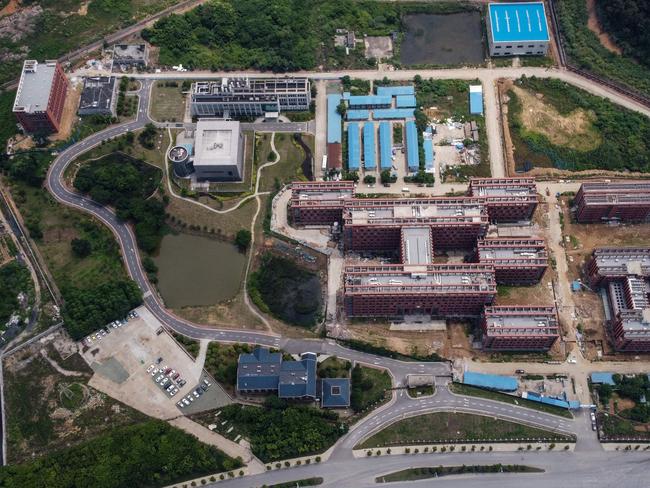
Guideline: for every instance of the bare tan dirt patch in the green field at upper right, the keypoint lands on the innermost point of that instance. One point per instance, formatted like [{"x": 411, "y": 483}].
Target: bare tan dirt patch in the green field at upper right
[{"x": 574, "y": 130}]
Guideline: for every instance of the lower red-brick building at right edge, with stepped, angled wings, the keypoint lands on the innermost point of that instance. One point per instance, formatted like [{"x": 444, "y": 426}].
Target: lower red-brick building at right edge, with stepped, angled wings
[{"x": 625, "y": 275}]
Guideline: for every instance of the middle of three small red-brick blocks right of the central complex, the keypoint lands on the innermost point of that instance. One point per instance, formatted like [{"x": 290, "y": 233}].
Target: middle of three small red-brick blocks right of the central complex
[{"x": 515, "y": 261}]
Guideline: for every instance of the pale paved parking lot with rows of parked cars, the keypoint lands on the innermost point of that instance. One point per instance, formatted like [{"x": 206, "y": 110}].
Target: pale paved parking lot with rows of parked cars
[{"x": 124, "y": 359}]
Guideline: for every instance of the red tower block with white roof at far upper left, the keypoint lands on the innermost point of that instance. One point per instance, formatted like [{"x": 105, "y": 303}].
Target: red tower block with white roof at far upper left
[{"x": 40, "y": 97}]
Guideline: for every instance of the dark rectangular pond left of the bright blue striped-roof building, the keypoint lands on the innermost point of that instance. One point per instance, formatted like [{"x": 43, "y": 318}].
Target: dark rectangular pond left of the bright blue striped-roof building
[{"x": 443, "y": 39}]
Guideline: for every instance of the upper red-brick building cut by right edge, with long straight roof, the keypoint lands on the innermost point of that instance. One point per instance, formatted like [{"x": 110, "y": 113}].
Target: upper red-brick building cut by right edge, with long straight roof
[{"x": 627, "y": 201}]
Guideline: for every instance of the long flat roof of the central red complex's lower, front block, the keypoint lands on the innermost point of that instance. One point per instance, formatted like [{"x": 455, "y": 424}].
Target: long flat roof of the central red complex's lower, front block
[{"x": 421, "y": 278}]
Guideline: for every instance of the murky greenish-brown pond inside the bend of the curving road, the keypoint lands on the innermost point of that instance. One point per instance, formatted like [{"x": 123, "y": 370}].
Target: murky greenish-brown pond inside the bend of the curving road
[{"x": 198, "y": 271}]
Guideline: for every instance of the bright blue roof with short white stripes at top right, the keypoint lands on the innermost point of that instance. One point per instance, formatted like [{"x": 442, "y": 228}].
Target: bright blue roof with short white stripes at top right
[{"x": 518, "y": 22}]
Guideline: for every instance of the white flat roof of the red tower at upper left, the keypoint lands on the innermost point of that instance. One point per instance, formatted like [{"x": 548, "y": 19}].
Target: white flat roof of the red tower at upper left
[{"x": 35, "y": 86}]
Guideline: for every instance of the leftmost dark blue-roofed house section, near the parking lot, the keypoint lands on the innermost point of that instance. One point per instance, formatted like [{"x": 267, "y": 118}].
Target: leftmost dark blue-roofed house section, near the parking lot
[{"x": 259, "y": 371}]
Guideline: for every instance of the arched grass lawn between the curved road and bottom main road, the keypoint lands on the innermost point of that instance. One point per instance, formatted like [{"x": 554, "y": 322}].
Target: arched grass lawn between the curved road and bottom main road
[{"x": 455, "y": 427}]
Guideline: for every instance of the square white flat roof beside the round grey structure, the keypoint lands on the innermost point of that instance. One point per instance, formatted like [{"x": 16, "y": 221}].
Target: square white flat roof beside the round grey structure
[{"x": 216, "y": 142}]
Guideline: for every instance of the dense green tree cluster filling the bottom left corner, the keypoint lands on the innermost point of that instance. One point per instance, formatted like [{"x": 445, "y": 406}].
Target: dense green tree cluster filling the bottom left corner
[{"x": 148, "y": 454}]
